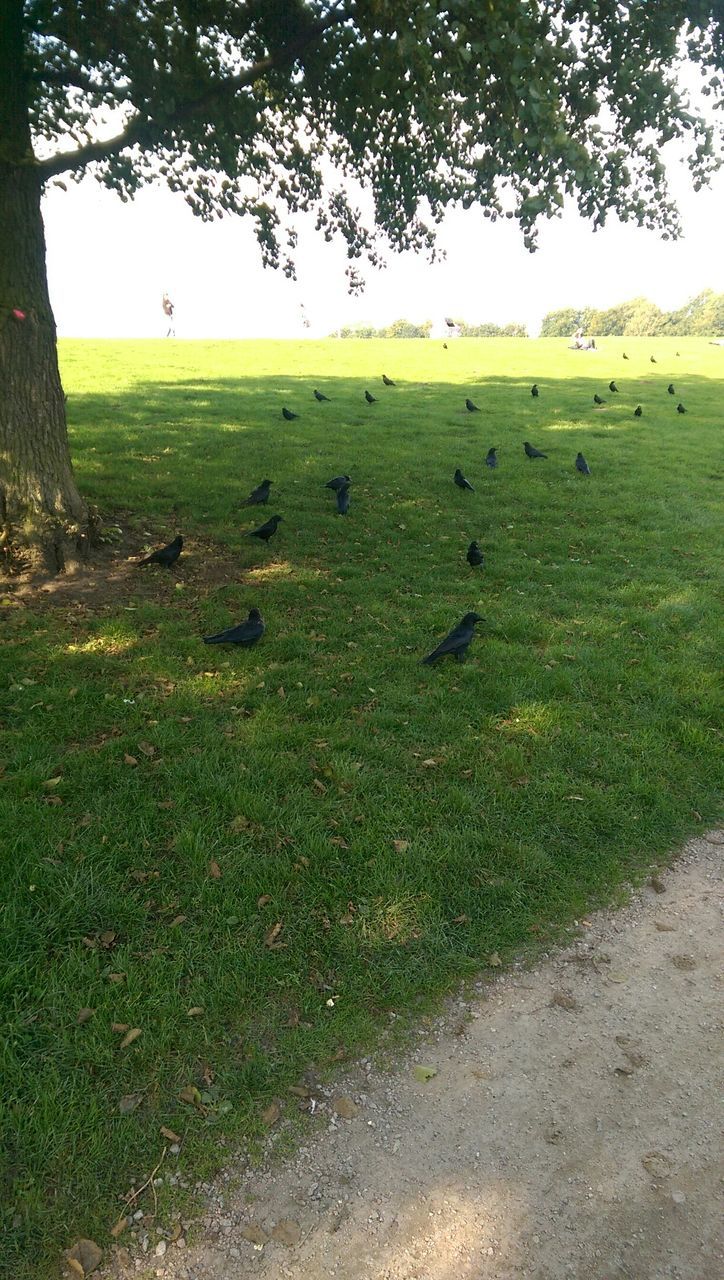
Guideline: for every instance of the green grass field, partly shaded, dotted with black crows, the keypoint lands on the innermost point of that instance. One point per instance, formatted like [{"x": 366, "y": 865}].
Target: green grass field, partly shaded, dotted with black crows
[{"x": 297, "y": 840}]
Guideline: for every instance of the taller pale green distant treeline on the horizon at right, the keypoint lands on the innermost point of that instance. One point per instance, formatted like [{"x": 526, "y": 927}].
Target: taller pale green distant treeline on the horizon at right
[{"x": 640, "y": 318}]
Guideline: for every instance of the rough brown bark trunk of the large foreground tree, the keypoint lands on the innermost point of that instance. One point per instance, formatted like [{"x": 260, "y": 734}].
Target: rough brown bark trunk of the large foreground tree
[{"x": 44, "y": 522}]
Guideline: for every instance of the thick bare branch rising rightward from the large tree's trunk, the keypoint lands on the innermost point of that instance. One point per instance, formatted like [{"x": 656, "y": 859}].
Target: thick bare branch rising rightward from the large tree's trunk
[{"x": 146, "y": 131}]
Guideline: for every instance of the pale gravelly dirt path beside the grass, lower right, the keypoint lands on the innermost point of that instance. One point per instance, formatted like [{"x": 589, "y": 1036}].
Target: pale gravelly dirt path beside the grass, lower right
[{"x": 570, "y": 1132}]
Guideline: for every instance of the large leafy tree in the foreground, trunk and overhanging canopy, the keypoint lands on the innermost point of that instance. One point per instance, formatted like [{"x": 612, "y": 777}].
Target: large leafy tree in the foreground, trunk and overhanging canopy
[{"x": 508, "y": 106}]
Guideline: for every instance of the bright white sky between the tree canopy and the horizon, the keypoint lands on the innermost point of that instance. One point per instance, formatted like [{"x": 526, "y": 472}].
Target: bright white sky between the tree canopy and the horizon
[{"x": 111, "y": 263}]
